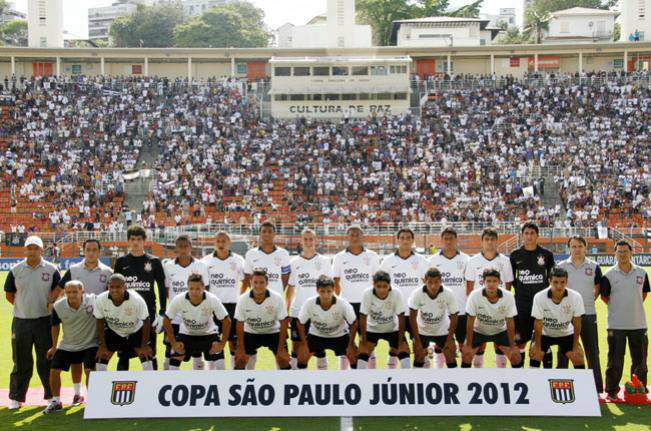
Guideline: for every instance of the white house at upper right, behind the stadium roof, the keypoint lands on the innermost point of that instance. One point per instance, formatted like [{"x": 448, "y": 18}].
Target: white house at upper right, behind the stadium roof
[{"x": 581, "y": 25}]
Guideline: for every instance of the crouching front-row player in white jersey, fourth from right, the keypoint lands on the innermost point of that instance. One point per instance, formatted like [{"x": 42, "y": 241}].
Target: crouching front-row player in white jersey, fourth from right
[{"x": 382, "y": 317}]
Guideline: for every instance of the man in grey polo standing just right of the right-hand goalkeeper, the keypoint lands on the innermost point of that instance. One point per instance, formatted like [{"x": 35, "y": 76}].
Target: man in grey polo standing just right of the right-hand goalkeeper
[{"x": 584, "y": 276}]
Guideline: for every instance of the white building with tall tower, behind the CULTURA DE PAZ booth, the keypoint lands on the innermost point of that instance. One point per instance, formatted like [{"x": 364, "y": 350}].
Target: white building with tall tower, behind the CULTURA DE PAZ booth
[{"x": 335, "y": 29}]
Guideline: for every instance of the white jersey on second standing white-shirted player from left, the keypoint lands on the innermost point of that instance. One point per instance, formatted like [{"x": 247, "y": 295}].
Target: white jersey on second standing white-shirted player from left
[{"x": 225, "y": 276}]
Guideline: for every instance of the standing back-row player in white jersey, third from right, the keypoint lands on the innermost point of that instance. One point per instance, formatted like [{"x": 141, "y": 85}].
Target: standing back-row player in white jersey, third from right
[{"x": 407, "y": 270}]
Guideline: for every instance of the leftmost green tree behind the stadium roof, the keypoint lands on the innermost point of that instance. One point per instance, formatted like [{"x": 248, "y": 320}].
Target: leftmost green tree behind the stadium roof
[{"x": 148, "y": 26}]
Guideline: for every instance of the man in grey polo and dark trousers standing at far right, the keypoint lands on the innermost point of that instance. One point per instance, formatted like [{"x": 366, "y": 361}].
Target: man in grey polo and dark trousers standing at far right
[{"x": 624, "y": 287}]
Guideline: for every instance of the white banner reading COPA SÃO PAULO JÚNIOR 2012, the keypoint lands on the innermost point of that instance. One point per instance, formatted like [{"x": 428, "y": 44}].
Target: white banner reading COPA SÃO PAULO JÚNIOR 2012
[{"x": 455, "y": 392}]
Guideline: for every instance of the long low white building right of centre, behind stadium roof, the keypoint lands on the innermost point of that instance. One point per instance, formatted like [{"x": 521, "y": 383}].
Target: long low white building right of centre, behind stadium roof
[{"x": 442, "y": 31}]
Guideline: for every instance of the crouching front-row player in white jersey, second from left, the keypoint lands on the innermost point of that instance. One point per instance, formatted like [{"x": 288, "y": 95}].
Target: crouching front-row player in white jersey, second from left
[{"x": 198, "y": 334}]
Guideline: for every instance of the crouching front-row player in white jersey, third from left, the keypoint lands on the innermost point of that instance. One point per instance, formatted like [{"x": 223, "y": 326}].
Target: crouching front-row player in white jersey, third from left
[{"x": 261, "y": 317}]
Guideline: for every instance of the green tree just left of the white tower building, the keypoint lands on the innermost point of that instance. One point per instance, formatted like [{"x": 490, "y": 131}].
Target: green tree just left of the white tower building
[{"x": 238, "y": 24}]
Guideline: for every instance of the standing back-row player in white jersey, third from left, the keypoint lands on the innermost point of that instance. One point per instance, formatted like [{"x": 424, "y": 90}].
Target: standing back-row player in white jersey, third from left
[{"x": 274, "y": 260}]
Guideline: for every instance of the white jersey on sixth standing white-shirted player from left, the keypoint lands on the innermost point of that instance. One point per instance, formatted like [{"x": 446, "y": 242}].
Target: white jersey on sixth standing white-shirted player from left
[{"x": 406, "y": 274}]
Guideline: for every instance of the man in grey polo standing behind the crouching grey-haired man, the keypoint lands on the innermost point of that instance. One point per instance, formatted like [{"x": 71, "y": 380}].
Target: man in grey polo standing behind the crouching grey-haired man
[{"x": 94, "y": 275}]
